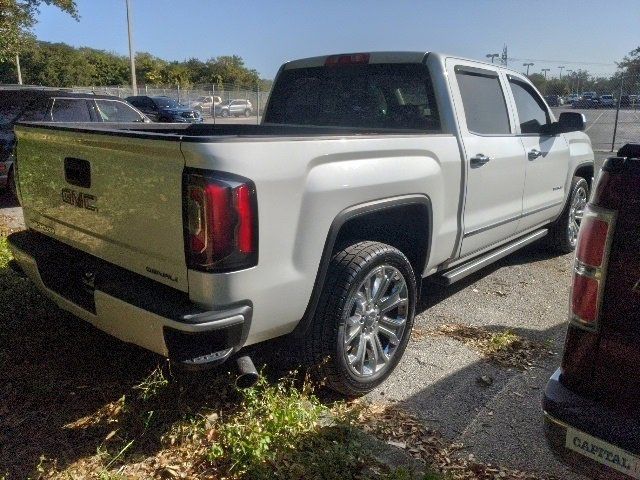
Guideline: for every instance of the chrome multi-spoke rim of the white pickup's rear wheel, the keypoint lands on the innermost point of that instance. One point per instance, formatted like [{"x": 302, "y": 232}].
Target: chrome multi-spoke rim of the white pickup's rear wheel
[{"x": 376, "y": 316}]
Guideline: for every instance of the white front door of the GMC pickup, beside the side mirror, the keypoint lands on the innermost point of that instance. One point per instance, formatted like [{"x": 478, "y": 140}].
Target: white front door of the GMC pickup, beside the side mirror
[{"x": 547, "y": 163}]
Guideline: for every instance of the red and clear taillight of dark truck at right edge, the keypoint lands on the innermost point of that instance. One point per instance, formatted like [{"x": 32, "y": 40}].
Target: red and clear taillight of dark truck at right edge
[{"x": 589, "y": 270}]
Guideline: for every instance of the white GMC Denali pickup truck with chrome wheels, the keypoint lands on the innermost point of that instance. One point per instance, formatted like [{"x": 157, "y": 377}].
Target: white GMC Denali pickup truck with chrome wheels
[{"x": 370, "y": 174}]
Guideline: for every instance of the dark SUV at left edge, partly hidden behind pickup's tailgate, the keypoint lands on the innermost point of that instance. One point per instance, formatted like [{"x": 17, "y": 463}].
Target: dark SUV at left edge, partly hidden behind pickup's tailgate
[{"x": 53, "y": 105}]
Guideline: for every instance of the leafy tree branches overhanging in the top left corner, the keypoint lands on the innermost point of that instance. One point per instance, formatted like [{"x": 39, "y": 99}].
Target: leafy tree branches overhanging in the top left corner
[{"x": 17, "y": 18}]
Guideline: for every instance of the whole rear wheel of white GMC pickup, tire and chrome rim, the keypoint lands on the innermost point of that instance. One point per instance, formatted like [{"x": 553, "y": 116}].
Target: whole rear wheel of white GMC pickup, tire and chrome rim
[{"x": 364, "y": 318}]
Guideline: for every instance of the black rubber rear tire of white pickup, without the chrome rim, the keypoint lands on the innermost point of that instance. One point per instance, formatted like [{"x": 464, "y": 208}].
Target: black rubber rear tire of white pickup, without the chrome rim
[{"x": 324, "y": 346}]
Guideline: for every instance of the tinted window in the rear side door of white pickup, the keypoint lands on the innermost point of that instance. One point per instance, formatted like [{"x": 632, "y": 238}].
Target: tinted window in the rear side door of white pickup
[{"x": 483, "y": 99}]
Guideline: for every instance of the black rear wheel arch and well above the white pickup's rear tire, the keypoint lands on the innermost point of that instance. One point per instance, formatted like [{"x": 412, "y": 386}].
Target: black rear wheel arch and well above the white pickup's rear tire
[{"x": 371, "y": 221}]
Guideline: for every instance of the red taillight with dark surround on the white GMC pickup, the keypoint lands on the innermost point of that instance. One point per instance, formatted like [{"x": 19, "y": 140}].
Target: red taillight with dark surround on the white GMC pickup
[{"x": 221, "y": 222}]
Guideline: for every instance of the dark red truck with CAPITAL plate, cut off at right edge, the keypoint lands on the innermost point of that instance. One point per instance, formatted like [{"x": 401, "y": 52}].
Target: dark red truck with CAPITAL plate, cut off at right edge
[{"x": 592, "y": 403}]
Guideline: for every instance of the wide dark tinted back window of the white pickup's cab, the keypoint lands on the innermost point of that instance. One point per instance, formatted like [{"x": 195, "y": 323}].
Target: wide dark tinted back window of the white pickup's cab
[{"x": 380, "y": 96}]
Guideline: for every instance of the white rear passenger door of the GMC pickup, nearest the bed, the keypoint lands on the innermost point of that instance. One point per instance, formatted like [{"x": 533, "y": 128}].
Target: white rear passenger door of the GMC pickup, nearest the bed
[{"x": 494, "y": 155}]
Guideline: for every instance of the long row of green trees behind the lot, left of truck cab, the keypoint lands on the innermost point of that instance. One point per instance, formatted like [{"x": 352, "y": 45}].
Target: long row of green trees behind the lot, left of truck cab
[{"x": 61, "y": 65}]
